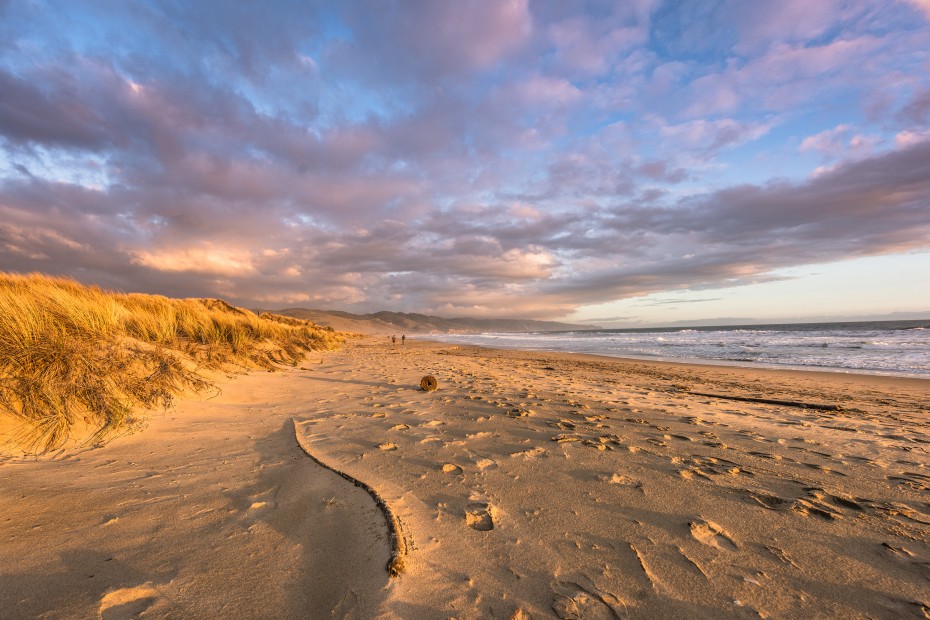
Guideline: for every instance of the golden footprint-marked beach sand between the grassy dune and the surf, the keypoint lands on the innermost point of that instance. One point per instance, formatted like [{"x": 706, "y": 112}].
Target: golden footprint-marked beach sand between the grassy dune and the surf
[{"x": 530, "y": 484}]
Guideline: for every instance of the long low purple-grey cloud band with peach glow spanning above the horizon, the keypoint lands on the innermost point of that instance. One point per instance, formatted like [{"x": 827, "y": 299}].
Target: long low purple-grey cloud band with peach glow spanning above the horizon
[{"x": 483, "y": 258}]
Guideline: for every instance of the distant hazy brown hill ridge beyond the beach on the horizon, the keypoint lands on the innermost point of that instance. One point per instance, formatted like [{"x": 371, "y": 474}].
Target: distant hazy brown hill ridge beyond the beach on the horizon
[{"x": 380, "y": 322}]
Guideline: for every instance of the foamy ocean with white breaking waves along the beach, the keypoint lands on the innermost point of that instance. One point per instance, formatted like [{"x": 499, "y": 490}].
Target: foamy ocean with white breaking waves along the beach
[{"x": 898, "y": 348}]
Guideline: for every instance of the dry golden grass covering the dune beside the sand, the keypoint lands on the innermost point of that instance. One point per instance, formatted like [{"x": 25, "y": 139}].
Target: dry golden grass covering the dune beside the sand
[{"x": 70, "y": 353}]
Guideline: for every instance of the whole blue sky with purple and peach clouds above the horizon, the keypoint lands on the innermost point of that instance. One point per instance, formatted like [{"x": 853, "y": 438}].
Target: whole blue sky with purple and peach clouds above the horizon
[{"x": 617, "y": 163}]
